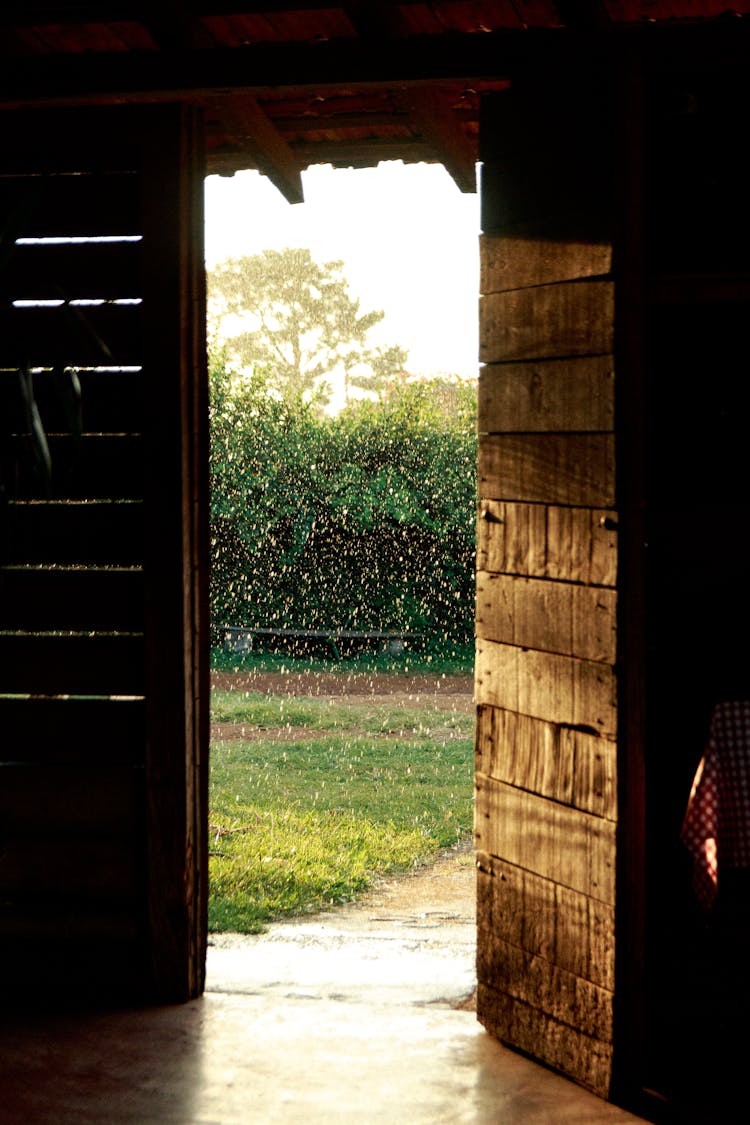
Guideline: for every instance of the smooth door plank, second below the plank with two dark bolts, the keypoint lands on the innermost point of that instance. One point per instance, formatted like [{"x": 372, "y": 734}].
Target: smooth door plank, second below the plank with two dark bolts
[{"x": 546, "y": 686}]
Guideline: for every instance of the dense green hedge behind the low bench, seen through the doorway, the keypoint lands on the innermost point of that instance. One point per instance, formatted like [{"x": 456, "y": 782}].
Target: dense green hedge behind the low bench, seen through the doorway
[{"x": 362, "y": 521}]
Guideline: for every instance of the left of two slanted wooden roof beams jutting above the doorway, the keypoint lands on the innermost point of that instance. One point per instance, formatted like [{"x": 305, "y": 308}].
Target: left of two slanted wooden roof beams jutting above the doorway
[{"x": 255, "y": 132}]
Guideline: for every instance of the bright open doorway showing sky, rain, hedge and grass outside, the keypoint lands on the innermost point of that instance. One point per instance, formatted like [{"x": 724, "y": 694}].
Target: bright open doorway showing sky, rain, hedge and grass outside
[{"x": 344, "y": 552}]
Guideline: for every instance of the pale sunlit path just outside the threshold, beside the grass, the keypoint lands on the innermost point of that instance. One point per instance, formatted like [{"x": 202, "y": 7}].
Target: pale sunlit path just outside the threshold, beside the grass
[{"x": 410, "y": 941}]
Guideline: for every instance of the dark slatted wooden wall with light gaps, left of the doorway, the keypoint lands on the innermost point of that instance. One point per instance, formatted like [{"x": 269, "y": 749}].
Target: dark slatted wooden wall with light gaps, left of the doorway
[{"x": 101, "y": 602}]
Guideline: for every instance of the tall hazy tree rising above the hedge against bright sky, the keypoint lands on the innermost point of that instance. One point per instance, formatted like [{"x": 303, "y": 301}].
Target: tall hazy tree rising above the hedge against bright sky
[{"x": 304, "y": 326}]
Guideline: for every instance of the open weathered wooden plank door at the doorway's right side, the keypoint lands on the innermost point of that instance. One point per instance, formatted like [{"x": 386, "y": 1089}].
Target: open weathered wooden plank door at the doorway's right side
[{"x": 546, "y": 687}]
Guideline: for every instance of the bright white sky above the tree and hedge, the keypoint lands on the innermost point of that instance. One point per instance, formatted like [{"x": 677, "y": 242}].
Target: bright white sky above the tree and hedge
[{"x": 408, "y": 237}]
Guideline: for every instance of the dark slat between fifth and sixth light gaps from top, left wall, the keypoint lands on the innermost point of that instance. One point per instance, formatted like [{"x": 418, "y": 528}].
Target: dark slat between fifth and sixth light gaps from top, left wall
[{"x": 71, "y": 533}]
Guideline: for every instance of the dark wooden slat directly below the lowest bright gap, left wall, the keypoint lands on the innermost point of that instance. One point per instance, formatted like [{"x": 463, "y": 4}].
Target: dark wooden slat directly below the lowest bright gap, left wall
[{"x": 69, "y": 732}]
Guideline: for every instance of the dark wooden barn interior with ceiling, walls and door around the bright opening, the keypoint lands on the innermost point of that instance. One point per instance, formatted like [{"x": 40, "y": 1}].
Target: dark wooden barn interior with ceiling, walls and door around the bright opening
[{"x": 612, "y": 559}]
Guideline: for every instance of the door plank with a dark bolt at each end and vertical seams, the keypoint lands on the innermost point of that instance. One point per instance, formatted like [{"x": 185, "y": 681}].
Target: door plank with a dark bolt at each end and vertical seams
[{"x": 544, "y": 542}]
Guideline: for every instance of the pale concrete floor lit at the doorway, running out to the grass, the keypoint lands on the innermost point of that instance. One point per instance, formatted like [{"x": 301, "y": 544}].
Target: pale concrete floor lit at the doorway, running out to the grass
[{"x": 363, "y": 1016}]
